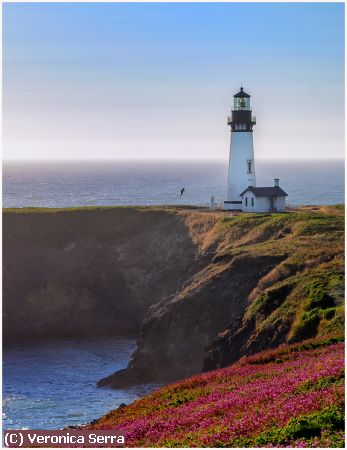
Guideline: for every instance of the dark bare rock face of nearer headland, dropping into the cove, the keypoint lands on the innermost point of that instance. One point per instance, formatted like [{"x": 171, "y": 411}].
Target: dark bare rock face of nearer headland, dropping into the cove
[{"x": 175, "y": 333}]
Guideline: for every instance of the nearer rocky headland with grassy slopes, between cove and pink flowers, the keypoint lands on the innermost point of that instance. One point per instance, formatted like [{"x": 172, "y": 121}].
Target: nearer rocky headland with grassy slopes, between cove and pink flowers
[{"x": 273, "y": 279}]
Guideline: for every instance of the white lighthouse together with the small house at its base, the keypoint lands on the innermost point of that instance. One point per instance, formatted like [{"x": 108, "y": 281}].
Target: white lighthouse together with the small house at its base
[{"x": 242, "y": 193}]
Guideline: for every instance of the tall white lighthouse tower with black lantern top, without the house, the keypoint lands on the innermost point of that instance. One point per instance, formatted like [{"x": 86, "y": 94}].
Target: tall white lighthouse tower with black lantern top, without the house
[{"x": 241, "y": 159}]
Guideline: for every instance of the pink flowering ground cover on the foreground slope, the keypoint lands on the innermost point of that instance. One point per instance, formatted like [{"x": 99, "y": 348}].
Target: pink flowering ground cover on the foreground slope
[{"x": 288, "y": 397}]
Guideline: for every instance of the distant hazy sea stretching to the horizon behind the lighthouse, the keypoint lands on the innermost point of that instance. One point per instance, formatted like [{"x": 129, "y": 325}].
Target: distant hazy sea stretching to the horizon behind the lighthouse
[{"x": 66, "y": 184}]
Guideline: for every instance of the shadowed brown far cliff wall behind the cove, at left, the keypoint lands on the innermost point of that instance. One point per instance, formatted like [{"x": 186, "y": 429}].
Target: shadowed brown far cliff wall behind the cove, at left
[{"x": 91, "y": 272}]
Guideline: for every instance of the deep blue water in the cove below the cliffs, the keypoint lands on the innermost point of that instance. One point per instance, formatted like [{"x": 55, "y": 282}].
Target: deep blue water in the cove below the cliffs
[{"x": 52, "y": 384}]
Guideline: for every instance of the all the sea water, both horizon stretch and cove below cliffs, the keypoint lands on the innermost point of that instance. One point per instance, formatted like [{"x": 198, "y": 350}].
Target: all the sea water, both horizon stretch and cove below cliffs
[{"x": 52, "y": 384}]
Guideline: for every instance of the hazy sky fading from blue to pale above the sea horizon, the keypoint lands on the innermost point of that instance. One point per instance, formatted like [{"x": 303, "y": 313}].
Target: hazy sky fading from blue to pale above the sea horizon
[{"x": 157, "y": 80}]
